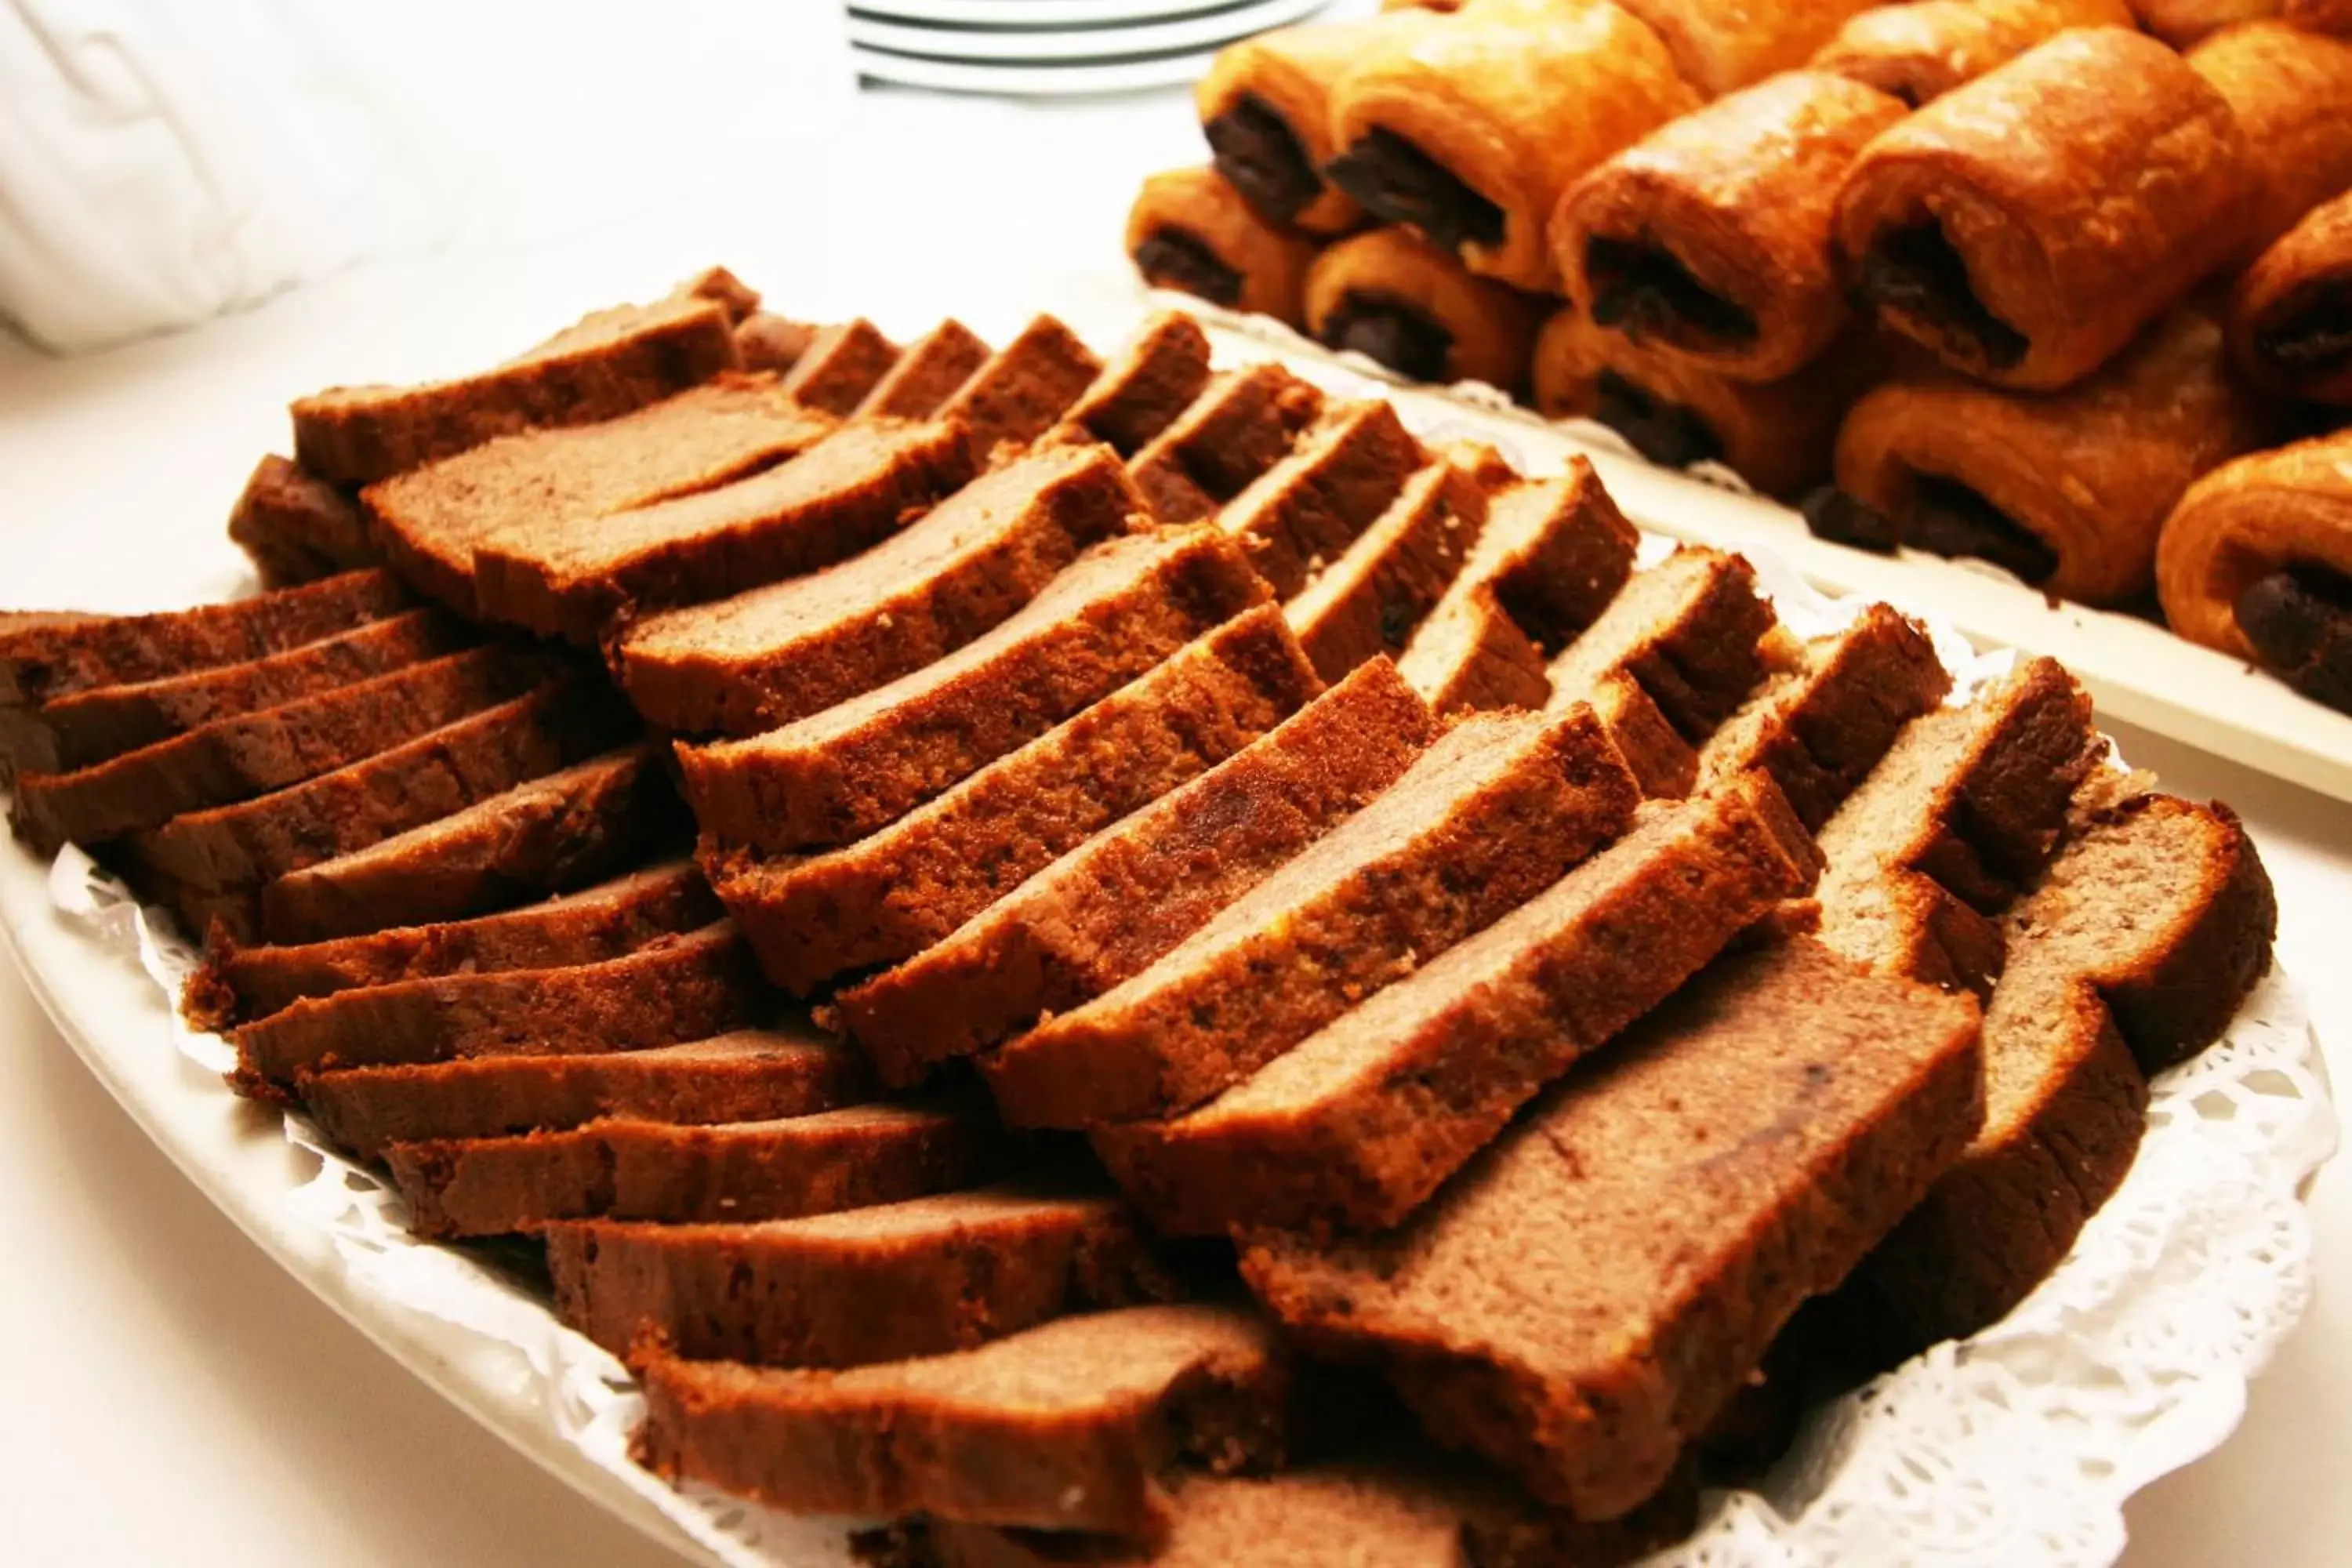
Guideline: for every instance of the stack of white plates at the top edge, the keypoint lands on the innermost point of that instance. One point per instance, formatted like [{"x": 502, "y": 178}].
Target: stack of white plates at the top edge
[{"x": 1053, "y": 48}]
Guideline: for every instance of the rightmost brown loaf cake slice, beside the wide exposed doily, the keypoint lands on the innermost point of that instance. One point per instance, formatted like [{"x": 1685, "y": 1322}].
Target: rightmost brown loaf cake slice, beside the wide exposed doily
[{"x": 2141, "y": 942}]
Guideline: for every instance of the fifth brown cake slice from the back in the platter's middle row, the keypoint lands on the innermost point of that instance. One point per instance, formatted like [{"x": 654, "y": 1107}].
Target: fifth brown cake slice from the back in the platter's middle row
[{"x": 867, "y": 763}]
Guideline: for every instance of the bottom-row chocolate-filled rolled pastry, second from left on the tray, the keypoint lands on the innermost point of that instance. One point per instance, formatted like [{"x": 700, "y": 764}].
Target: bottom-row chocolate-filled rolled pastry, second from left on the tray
[{"x": 1415, "y": 309}]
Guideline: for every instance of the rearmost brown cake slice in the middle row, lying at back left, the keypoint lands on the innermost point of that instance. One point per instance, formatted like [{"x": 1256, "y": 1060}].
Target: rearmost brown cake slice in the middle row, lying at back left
[{"x": 606, "y": 368}]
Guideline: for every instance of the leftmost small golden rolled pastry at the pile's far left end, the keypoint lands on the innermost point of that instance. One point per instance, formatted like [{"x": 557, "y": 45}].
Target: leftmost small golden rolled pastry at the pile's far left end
[{"x": 1191, "y": 232}]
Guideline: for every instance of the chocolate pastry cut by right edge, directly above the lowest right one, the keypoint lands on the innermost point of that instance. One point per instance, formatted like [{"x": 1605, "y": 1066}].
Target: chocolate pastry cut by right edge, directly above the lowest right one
[{"x": 2292, "y": 311}]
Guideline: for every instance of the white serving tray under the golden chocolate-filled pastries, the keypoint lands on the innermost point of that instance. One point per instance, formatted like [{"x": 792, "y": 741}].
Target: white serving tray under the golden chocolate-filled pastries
[{"x": 2137, "y": 671}]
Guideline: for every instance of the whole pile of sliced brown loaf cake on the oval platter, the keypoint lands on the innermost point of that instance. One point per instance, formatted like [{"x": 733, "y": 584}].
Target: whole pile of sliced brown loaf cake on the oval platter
[{"x": 1248, "y": 989}]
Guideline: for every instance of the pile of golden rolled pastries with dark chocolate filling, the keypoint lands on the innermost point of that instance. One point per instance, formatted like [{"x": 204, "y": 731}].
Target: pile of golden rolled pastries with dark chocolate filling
[{"x": 1871, "y": 260}]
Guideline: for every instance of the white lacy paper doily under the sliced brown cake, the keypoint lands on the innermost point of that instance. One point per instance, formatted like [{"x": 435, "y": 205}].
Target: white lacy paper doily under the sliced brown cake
[{"x": 2014, "y": 1449}]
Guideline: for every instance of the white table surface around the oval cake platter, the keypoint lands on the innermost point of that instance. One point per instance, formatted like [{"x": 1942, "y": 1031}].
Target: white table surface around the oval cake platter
[{"x": 173, "y": 1395}]
